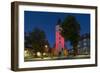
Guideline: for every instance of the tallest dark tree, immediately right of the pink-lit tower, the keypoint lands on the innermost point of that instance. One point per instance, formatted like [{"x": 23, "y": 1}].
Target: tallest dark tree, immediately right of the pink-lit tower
[{"x": 71, "y": 31}]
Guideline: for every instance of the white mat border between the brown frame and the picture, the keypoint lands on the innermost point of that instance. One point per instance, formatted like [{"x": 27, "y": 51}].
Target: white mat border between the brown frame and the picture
[{"x": 23, "y": 64}]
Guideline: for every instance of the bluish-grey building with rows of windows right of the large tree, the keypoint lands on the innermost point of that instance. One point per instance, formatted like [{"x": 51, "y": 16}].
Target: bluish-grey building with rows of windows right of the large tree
[{"x": 84, "y": 44}]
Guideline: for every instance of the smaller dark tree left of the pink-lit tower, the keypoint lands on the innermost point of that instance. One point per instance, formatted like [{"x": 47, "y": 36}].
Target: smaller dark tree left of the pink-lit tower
[{"x": 37, "y": 38}]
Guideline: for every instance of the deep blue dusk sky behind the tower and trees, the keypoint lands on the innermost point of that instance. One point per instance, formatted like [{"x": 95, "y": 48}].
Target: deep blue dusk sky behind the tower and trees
[{"x": 47, "y": 21}]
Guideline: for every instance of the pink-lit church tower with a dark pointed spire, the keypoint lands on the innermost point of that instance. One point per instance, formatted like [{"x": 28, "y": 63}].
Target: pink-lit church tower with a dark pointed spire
[{"x": 60, "y": 43}]
